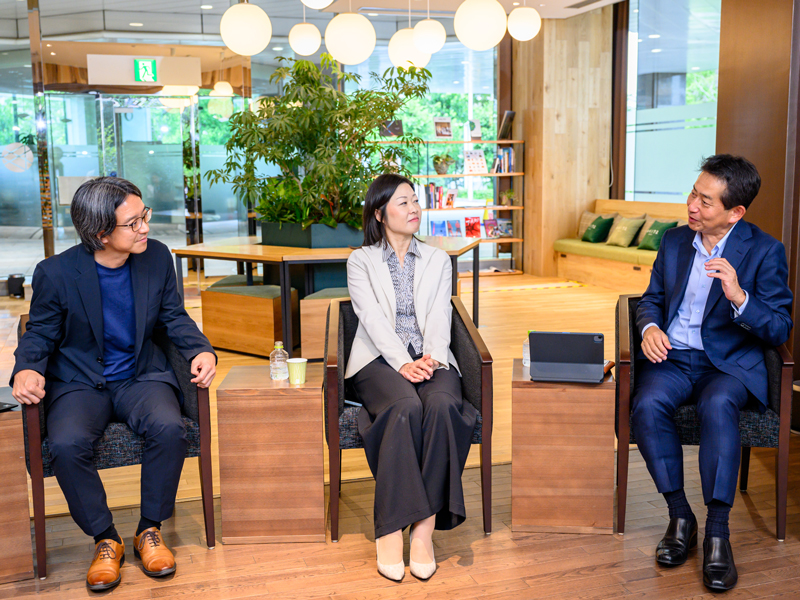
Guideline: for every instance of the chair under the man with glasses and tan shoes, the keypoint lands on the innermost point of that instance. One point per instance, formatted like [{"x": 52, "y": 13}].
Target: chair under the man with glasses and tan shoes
[{"x": 120, "y": 447}]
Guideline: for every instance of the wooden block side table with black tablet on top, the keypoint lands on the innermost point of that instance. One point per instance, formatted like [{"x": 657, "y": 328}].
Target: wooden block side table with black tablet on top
[{"x": 562, "y": 455}]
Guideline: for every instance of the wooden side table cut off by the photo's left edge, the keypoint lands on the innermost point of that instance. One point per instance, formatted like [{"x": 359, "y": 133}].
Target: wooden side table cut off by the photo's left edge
[{"x": 16, "y": 555}]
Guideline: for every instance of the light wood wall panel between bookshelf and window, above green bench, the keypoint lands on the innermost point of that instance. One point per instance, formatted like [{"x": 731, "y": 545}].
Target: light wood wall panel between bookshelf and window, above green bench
[{"x": 562, "y": 97}]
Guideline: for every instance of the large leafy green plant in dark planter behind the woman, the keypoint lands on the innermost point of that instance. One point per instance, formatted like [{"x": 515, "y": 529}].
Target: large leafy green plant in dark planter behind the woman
[{"x": 324, "y": 143}]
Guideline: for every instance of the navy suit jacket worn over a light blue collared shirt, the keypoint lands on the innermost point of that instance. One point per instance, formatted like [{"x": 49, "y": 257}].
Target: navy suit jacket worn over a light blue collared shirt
[{"x": 735, "y": 345}]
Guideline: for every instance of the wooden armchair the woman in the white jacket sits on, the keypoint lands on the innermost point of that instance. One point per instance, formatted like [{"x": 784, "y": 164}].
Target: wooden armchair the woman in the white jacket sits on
[{"x": 341, "y": 422}]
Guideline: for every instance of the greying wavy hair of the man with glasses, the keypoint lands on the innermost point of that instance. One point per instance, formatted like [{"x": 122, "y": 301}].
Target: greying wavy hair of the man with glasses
[{"x": 93, "y": 208}]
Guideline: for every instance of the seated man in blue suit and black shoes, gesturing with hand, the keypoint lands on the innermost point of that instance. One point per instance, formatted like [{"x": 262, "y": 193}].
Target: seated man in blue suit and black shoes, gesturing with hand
[{"x": 717, "y": 296}]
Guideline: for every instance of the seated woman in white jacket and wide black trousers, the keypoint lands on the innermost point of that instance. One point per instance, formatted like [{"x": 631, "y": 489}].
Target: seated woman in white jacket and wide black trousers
[{"x": 415, "y": 425}]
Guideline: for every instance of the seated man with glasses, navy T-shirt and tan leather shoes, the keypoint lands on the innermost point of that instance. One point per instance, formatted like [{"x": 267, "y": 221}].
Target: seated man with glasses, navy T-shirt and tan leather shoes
[{"x": 88, "y": 354}]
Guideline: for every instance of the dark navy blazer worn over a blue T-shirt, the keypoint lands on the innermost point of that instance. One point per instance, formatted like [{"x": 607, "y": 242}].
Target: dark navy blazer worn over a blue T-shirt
[{"x": 64, "y": 336}]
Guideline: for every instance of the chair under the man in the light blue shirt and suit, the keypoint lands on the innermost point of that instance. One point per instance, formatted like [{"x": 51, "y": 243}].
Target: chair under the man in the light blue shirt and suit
[{"x": 770, "y": 430}]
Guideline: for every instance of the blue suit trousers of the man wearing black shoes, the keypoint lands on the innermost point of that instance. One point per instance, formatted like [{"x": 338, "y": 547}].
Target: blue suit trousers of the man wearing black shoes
[{"x": 688, "y": 377}]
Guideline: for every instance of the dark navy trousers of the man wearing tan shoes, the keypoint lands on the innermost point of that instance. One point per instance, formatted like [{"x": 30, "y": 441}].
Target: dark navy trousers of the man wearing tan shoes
[{"x": 76, "y": 421}]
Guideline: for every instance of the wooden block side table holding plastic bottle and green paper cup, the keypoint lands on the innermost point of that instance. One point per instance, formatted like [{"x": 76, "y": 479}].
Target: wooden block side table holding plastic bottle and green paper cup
[{"x": 271, "y": 457}]
